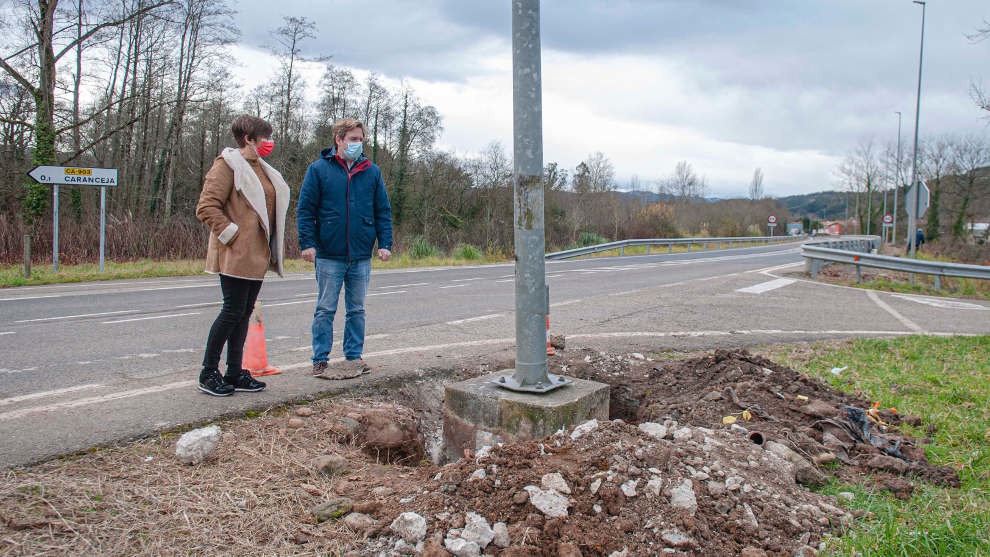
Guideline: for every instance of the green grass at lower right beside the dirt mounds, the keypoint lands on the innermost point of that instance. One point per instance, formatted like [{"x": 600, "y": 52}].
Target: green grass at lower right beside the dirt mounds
[{"x": 944, "y": 381}]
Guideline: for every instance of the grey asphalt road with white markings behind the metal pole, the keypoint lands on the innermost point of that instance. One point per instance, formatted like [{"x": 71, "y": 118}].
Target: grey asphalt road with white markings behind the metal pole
[{"x": 93, "y": 363}]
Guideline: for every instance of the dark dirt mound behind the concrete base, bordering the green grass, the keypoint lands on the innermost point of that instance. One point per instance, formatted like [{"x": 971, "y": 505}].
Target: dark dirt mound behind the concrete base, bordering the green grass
[{"x": 800, "y": 412}]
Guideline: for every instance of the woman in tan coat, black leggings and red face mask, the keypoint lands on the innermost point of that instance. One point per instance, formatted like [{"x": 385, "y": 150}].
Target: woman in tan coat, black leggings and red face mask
[{"x": 244, "y": 201}]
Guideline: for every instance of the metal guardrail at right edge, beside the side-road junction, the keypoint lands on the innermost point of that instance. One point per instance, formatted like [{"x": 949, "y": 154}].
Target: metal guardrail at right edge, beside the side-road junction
[{"x": 857, "y": 250}]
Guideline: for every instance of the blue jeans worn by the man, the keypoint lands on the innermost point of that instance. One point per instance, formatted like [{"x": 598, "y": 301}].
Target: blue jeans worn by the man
[{"x": 331, "y": 274}]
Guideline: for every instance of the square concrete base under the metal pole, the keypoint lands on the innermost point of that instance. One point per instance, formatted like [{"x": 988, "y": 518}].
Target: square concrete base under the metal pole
[{"x": 477, "y": 412}]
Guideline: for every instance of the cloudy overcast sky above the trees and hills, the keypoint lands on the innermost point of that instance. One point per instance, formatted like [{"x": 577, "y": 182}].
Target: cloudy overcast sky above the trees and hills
[{"x": 788, "y": 86}]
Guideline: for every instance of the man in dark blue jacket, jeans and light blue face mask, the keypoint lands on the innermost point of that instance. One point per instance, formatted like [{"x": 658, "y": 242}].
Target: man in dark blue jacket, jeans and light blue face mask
[{"x": 343, "y": 209}]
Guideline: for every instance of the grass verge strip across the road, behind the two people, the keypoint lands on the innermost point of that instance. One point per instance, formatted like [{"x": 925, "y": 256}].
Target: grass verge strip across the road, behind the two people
[{"x": 13, "y": 275}]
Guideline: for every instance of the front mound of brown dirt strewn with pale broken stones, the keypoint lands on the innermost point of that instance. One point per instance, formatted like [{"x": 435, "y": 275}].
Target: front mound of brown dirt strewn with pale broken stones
[{"x": 694, "y": 490}]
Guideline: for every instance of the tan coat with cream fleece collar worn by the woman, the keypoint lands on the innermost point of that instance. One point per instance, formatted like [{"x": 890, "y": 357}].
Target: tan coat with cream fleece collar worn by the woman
[{"x": 242, "y": 243}]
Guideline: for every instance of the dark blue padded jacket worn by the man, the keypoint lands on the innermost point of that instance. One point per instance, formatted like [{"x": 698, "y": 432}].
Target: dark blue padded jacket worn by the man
[{"x": 343, "y": 211}]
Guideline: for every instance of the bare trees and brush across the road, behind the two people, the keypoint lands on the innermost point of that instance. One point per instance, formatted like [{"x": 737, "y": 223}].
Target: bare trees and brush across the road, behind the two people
[{"x": 145, "y": 86}]
